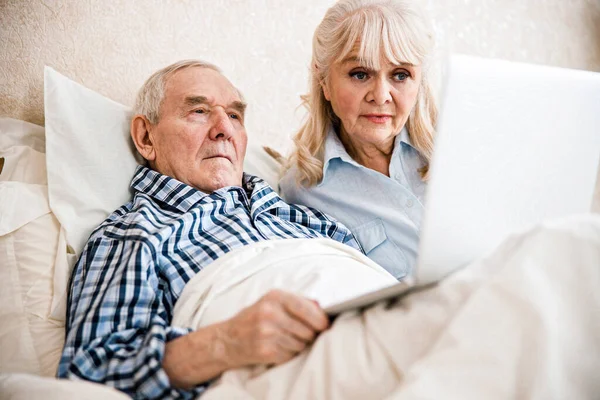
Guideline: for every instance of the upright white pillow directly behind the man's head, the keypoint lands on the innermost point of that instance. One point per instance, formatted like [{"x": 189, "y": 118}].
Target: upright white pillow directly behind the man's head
[{"x": 91, "y": 158}]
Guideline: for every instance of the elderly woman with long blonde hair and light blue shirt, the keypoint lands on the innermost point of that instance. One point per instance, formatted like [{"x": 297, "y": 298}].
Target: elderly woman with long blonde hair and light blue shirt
[{"x": 363, "y": 153}]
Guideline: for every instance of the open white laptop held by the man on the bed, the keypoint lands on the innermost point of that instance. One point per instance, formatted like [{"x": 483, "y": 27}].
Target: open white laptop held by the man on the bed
[{"x": 516, "y": 144}]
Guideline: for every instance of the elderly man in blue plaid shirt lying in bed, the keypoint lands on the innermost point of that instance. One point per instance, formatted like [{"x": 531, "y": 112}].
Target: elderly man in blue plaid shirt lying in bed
[{"x": 192, "y": 205}]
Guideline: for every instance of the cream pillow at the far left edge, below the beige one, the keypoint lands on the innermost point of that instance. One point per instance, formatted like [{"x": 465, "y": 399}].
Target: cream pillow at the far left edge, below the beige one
[{"x": 30, "y": 341}]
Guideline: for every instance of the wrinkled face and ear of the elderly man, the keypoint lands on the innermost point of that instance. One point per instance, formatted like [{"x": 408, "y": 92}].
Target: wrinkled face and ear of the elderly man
[{"x": 200, "y": 138}]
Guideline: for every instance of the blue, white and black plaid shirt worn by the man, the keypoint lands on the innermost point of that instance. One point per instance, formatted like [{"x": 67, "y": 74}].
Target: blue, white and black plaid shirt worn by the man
[{"x": 136, "y": 263}]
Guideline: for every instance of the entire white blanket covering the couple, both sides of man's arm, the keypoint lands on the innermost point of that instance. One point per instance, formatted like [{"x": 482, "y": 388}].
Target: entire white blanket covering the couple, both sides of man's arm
[{"x": 521, "y": 323}]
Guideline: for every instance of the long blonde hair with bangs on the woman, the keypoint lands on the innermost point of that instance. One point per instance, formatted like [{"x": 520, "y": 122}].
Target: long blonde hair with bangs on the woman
[{"x": 395, "y": 29}]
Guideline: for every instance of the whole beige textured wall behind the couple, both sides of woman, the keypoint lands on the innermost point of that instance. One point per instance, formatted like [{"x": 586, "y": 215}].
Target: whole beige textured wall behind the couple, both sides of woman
[{"x": 111, "y": 46}]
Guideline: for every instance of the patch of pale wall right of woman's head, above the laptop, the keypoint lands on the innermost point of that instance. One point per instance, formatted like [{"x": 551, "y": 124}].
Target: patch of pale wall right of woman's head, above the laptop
[{"x": 561, "y": 33}]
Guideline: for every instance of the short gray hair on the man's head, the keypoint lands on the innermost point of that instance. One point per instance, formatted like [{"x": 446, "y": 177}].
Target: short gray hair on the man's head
[{"x": 152, "y": 92}]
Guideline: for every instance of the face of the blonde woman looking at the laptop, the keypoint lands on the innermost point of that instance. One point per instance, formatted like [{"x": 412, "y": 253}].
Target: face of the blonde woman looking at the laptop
[{"x": 373, "y": 106}]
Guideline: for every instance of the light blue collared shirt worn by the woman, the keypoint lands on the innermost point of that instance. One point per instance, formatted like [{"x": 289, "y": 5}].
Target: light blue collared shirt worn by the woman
[{"x": 384, "y": 213}]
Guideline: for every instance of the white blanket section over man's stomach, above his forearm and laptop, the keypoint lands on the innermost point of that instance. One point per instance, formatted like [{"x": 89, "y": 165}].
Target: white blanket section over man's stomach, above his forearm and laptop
[{"x": 322, "y": 269}]
